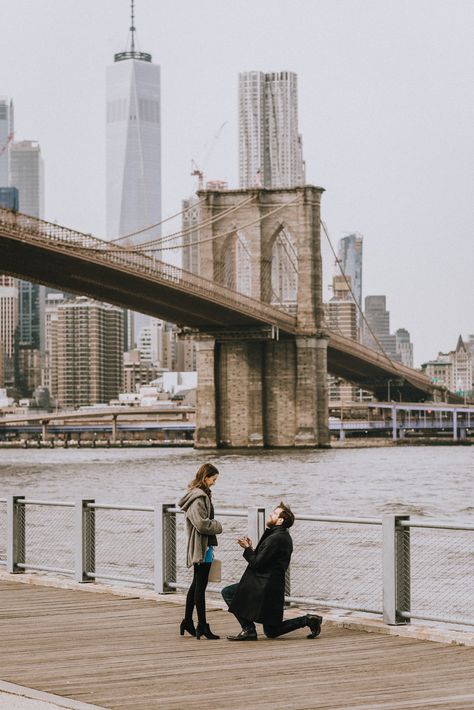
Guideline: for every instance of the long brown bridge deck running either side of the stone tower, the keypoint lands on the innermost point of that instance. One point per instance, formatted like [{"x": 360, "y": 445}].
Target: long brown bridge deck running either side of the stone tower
[{"x": 70, "y": 261}]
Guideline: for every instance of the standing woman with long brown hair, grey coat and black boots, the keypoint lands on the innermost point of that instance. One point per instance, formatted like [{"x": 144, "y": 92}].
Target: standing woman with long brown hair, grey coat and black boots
[{"x": 201, "y": 529}]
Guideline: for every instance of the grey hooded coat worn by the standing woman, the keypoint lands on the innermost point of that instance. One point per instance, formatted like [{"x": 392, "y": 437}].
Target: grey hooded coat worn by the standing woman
[{"x": 196, "y": 505}]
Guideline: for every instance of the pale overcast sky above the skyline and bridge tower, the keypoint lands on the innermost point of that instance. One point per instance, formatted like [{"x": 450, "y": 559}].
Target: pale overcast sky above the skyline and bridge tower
[{"x": 386, "y": 107}]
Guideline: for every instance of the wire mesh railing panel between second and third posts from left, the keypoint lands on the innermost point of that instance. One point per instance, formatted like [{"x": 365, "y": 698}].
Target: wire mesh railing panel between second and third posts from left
[{"x": 124, "y": 544}]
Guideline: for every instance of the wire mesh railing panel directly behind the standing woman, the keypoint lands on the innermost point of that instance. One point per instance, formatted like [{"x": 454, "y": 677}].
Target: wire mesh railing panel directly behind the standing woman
[{"x": 227, "y": 551}]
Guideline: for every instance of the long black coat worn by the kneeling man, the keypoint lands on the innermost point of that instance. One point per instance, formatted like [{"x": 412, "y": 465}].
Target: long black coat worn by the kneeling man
[{"x": 260, "y": 595}]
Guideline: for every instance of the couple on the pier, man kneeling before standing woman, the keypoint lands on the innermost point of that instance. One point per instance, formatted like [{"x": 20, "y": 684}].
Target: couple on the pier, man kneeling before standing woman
[{"x": 260, "y": 594}]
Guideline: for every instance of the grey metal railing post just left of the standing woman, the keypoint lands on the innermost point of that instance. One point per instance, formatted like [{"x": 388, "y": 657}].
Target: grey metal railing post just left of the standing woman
[{"x": 165, "y": 548}]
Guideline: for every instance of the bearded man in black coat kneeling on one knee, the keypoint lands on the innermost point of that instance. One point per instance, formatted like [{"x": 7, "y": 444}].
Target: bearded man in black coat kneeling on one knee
[{"x": 260, "y": 594}]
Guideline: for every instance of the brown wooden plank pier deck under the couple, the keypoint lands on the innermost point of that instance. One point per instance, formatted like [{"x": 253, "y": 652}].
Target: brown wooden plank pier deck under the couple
[{"x": 122, "y": 653}]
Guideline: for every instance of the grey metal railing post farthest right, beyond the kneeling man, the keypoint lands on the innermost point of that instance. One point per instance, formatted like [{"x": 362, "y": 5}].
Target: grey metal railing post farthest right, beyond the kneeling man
[{"x": 396, "y": 569}]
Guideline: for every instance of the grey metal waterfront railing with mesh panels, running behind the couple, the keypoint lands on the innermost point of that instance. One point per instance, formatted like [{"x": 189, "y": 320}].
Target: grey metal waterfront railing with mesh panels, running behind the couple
[{"x": 399, "y": 568}]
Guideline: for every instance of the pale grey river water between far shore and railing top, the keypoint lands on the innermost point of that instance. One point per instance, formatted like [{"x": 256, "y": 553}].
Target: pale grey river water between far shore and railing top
[{"x": 435, "y": 481}]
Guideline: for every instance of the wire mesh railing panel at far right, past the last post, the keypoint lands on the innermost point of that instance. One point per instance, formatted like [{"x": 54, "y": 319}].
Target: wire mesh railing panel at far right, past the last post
[{"x": 442, "y": 573}]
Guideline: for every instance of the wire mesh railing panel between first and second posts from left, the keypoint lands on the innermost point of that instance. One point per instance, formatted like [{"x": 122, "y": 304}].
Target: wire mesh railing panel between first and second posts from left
[{"x": 49, "y": 536}]
